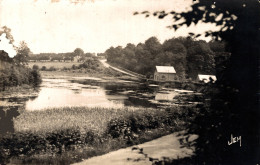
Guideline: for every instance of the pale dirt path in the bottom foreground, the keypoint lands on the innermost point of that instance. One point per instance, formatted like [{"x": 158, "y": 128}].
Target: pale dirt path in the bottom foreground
[{"x": 166, "y": 146}]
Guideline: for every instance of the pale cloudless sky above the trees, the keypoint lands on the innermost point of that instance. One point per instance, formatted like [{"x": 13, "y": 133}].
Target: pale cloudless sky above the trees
[{"x": 92, "y": 25}]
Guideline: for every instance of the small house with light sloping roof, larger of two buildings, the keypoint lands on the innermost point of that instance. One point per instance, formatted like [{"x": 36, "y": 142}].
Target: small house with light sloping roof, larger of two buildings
[{"x": 165, "y": 73}]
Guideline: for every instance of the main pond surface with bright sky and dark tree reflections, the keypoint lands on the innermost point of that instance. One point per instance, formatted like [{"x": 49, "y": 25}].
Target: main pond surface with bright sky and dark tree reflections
[{"x": 97, "y": 92}]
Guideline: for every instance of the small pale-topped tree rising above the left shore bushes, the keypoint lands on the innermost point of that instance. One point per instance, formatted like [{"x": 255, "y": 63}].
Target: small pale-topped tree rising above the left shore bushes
[{"x": 22, "y": 55}]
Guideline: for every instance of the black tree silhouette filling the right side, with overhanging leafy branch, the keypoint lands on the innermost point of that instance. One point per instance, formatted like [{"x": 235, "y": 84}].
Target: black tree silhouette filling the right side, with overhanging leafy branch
[{"x": 234, "y": 106}]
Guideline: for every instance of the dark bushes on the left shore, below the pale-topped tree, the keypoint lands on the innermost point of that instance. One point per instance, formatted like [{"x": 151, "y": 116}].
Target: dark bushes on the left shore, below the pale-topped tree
[{"x": 15, "y": 74}]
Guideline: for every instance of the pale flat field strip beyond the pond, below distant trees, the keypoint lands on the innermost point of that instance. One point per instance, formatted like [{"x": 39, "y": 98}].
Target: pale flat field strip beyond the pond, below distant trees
[{"x": 57, "y": 65}]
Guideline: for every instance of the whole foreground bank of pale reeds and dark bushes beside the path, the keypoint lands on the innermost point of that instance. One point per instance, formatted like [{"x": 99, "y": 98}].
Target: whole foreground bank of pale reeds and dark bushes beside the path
[{"x": 67, "y": 135}]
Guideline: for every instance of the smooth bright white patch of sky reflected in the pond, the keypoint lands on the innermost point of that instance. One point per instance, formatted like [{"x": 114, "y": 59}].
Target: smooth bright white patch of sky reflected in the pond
[{"x": 60, "y": 97}]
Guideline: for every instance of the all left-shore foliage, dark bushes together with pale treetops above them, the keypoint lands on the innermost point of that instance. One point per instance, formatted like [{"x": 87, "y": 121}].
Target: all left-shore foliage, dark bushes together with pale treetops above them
[{"x": 12, "y": 70}]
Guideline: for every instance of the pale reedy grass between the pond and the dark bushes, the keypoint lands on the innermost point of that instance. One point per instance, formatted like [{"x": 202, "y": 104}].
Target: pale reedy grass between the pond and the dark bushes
[{"x": 84, "y": 118}]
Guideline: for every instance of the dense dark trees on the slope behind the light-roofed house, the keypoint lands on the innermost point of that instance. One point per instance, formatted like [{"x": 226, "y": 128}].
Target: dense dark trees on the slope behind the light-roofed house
[{"x": 188, "y": 56}]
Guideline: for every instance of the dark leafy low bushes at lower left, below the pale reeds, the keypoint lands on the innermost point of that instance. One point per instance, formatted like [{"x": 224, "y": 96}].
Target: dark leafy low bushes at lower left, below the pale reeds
[{"x": 18, "y": 144}]
